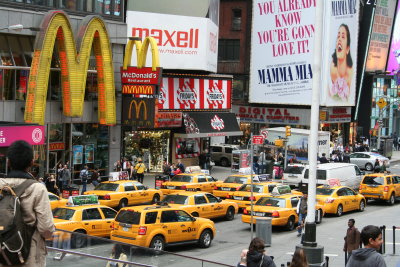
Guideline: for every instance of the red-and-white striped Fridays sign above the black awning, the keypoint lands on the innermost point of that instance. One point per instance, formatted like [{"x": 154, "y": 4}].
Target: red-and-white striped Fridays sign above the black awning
[{"x": 194, "y": 93}]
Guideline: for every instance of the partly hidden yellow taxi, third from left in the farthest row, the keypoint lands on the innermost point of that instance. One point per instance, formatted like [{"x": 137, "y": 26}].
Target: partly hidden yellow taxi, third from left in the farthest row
[{"x": 232, "y": 183}]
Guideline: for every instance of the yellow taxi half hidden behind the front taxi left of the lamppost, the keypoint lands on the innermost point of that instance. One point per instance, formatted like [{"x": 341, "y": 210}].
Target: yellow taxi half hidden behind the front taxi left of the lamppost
[{"x": 243, "y": 196}]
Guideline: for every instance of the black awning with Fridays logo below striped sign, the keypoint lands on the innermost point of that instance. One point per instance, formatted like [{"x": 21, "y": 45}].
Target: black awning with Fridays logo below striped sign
[{"x": 207, "y": 124}]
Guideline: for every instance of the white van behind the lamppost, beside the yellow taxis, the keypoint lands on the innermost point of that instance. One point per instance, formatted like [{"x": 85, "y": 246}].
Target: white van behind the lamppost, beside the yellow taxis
[{"x": 348, "y": 174}]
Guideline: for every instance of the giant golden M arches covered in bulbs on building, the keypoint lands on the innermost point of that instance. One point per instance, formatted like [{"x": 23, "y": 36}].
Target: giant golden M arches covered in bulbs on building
[{"x": 56, "y": 30}]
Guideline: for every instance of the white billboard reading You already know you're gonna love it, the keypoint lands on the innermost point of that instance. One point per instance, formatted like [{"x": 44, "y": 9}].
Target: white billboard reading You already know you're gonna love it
[{"x": 282, "y": 52}]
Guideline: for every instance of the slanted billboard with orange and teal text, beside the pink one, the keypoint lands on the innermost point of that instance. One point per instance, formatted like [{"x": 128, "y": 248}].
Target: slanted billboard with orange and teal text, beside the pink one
[{"x": 380, "y": 36}]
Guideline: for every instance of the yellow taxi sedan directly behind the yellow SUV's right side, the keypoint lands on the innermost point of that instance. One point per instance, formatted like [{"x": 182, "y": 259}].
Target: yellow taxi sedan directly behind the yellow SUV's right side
[{"x": 202, "y": 204}]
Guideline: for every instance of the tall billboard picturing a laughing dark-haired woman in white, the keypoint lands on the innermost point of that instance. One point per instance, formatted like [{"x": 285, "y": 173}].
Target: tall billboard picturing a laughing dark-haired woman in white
[{"x": 340, "y": 55}]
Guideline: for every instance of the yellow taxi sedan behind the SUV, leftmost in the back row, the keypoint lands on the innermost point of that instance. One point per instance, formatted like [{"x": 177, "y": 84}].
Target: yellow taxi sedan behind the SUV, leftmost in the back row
[{"x": 122, "y": 193}]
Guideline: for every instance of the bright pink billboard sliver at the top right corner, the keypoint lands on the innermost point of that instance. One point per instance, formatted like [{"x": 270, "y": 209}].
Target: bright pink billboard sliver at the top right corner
[{"x": 394, "y": 52}]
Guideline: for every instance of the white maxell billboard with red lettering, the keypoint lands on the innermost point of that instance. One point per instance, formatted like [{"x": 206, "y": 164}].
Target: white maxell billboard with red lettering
[{"x": 189, "y": 43}]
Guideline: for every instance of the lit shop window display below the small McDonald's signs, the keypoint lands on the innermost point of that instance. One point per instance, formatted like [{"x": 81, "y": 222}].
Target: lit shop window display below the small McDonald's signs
[{"x": 151, "y": 146}]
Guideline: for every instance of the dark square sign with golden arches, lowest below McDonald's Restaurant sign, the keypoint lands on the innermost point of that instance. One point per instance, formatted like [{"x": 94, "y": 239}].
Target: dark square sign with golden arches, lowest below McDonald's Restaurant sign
[{"x": 138, "y": 112}]
